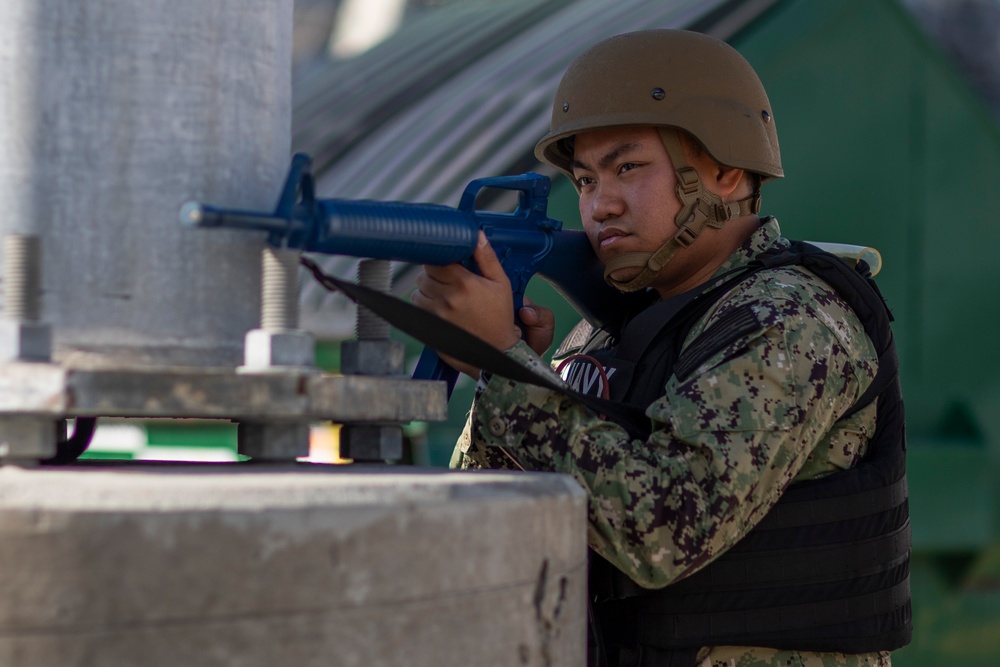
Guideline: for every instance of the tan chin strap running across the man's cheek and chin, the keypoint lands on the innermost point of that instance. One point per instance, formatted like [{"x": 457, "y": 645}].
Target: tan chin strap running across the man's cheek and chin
[{"x": 699, "y": 208}]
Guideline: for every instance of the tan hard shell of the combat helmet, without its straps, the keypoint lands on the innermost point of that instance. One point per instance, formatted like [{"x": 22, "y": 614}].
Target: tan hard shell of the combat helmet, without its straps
[{"x": 667, "y": 78}]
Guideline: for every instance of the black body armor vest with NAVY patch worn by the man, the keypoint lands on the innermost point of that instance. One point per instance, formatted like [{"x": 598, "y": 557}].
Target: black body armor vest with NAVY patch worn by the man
[{"x": 827, "y": 569}]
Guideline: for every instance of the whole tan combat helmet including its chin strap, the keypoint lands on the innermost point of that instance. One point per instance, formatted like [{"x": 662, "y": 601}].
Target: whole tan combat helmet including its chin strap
[{"x": 672, "y": 80}]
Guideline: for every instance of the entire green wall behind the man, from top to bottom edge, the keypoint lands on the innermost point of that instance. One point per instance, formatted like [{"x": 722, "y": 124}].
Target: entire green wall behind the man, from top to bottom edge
[{"x": 885, "y": 144}]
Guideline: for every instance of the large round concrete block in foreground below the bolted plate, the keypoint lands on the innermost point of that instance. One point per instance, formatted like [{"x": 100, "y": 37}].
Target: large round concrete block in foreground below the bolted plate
[{"x": 267, "y": 566}]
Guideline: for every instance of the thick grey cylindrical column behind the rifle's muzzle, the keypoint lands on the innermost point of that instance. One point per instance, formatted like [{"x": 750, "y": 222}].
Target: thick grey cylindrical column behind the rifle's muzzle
[{"x": 113, "y": 113}]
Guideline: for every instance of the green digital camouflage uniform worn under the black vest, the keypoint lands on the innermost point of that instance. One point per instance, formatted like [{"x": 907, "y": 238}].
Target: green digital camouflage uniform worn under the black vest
[{"x": 758, "y": 415}]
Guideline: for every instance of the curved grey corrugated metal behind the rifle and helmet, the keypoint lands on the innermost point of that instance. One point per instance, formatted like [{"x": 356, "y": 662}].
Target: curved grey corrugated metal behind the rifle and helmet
[{"x": 459, "y": 96}]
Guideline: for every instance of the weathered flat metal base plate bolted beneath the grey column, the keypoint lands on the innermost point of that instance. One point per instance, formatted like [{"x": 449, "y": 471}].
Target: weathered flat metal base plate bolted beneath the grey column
[{"x": 296, "y": 395}]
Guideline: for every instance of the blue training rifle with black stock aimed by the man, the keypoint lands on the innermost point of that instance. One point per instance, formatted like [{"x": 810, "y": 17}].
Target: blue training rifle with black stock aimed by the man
[{"x": 526, "y": 241}]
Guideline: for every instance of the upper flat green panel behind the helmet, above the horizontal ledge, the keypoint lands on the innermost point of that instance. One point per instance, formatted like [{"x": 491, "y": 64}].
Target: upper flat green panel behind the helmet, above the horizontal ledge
[{"x": 885, "y": 144}]
